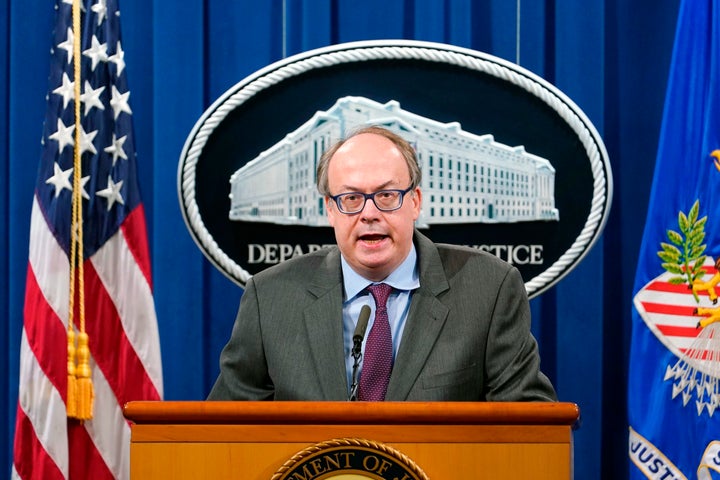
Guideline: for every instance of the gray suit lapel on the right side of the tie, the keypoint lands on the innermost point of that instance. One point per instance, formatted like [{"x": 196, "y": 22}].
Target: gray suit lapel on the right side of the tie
[{"x": 425, "y": 321}]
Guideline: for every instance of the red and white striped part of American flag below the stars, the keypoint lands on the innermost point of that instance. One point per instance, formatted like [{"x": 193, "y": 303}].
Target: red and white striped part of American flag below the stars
[{"x": 125, "y": 355}]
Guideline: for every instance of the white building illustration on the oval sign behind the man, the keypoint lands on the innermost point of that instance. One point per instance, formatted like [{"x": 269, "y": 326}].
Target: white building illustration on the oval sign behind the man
[{"x": 466, "y": 178}]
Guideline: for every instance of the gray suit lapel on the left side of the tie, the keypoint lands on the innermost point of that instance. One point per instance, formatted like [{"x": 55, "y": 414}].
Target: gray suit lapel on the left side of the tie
[{"x": 323, "y": 322}]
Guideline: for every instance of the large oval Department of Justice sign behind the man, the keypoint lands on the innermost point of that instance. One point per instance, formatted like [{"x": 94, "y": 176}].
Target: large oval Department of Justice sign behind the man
[{"x": 510, "y": 164}]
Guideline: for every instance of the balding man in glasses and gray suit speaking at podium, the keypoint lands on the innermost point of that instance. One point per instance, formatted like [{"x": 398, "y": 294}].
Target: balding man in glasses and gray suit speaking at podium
[{"x": 459, "y": 319}]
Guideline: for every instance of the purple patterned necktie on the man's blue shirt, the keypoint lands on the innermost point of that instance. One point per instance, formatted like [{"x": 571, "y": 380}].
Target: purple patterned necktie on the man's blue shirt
[{"x": 377, "y": 360}]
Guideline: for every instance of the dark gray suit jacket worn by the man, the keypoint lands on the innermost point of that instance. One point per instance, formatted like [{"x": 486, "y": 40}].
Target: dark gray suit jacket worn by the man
[{"x": 467, "y": 335}]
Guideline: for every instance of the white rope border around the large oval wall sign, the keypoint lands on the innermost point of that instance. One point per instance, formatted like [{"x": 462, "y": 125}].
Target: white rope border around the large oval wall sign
[{"x": 592, "y": 145}]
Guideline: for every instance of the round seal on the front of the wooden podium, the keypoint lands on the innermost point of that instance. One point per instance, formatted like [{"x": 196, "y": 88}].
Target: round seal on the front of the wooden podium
[{"x": 349, "y": 459}]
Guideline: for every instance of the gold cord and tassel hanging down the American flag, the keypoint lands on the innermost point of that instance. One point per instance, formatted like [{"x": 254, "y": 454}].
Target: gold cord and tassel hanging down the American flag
[{"x": 80, "y": 393}]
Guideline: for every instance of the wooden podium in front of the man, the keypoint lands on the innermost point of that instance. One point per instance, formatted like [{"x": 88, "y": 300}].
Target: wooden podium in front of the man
[{"x": 257, "y": 440}]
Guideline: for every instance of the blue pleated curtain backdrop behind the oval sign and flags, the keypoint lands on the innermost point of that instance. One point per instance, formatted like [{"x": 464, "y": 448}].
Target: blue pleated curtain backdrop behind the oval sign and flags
[{"x": 610, "y": 57}]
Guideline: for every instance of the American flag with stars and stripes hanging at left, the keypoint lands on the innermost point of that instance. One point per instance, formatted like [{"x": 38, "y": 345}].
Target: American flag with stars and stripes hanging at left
[{"x": 119, "y": 310}]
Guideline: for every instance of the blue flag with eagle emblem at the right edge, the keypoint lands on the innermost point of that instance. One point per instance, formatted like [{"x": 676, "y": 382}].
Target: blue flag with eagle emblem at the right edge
[{"x": 674, "y": 371}]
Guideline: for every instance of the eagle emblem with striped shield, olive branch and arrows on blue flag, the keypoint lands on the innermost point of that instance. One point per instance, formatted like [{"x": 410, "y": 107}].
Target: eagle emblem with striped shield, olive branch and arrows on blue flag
[{"x": 680, "y": 307}]
